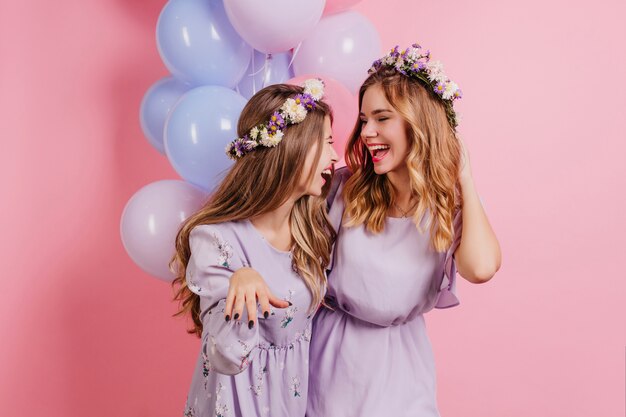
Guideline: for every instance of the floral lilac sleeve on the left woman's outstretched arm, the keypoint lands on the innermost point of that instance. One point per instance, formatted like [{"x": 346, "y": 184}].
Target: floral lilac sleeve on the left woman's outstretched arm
[{"x": 225, "y": 345}]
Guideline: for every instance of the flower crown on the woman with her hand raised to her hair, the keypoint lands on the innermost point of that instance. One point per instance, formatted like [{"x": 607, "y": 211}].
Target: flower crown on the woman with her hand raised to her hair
[{"x": 415, "y": 62}]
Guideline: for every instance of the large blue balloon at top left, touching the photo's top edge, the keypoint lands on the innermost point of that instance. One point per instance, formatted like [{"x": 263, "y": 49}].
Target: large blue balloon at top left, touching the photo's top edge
[{"x": 198, "y": 44}]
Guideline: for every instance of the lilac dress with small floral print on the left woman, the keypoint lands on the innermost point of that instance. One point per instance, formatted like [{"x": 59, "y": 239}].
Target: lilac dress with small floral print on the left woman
[{"x": 261, "y": 371}]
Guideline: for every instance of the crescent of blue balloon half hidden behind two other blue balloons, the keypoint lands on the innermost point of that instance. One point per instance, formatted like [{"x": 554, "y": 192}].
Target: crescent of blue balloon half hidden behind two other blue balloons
[{"x": 155, "y": 107}]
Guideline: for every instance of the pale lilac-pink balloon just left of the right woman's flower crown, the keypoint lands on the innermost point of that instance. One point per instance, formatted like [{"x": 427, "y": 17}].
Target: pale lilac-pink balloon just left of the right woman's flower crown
[{"x": 342, "y": 46}]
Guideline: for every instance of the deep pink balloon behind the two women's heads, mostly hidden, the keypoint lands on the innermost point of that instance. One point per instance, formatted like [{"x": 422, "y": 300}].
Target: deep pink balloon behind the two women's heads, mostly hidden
[{"x": 344, "y": 105}]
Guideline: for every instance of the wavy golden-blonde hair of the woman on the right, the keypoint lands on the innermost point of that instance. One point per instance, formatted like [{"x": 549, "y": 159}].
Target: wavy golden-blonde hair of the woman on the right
[{"x": 433, "y": 162}]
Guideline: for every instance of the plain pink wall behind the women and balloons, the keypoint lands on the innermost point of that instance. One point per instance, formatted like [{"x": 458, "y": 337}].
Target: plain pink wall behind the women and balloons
[{"x": 85, "y": 332}]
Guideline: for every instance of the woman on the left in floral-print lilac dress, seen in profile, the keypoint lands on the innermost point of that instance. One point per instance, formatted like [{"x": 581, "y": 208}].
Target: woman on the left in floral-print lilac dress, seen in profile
[{"x": 269, "y": 214}]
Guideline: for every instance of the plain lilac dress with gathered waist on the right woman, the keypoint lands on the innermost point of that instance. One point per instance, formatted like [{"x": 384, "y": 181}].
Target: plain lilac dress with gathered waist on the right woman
[{"x": 371, "y": 356}]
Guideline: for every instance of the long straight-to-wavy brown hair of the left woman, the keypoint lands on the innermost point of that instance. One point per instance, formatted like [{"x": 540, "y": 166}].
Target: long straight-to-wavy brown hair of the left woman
[{"x": 260, "y": 182}]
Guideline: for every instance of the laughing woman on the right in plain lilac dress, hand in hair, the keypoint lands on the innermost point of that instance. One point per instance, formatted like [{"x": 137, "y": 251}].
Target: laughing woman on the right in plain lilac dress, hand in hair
[{"x": 407, "y": 217}]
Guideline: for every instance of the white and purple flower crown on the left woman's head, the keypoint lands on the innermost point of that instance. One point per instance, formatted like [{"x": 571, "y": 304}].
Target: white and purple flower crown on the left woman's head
[{"x": 293, "y": 111}]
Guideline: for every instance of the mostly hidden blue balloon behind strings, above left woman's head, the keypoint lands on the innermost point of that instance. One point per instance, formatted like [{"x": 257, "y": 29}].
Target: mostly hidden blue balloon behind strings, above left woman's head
[{"x": 265, "y": 70}]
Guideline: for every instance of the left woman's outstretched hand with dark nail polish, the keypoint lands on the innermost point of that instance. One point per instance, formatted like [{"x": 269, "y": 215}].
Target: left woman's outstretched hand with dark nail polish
[{"x": 246, "y": 287}]
